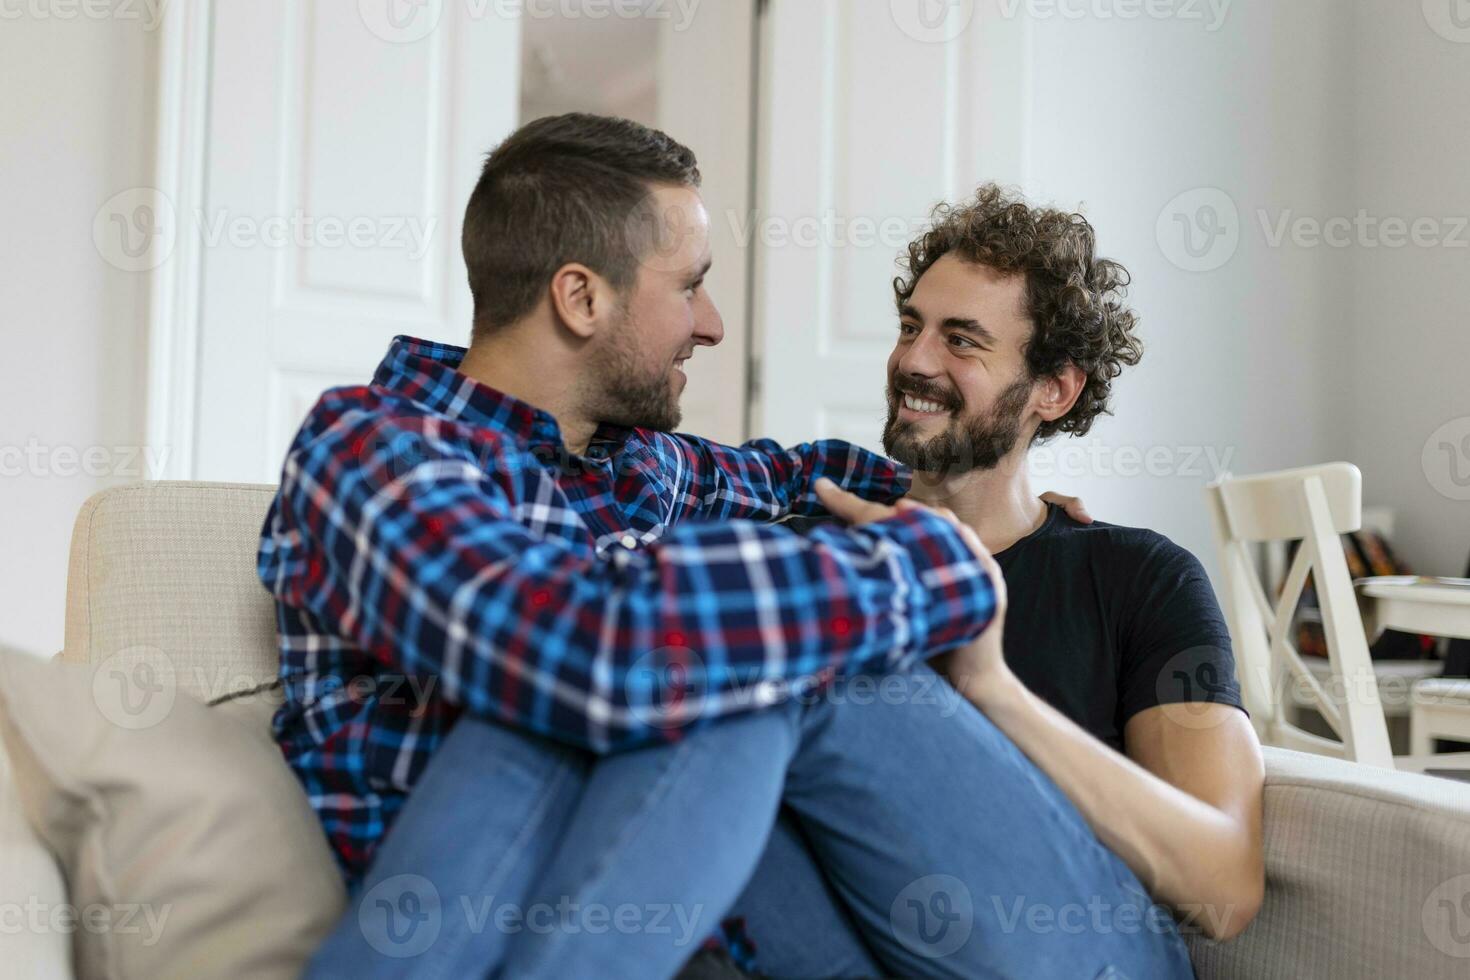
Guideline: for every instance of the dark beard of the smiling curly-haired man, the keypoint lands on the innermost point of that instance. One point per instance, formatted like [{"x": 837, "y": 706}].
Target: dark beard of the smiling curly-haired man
[{"x": 978, "y": 444}]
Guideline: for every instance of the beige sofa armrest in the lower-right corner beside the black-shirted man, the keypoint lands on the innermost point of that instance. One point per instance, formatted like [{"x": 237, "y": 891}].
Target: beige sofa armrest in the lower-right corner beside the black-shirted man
[{"x": 1368, "y": 875}]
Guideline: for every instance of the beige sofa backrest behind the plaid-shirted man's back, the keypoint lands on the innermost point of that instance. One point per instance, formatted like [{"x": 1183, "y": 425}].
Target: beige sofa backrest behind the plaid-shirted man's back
[{"x": 164, "y": 574}]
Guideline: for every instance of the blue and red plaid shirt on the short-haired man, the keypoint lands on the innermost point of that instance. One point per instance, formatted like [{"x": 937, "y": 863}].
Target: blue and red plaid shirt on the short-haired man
[{"x": 434, "y": 549}]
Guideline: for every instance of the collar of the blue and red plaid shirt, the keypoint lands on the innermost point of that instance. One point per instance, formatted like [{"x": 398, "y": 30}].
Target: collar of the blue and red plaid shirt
[{"x": 429, "y": 372}]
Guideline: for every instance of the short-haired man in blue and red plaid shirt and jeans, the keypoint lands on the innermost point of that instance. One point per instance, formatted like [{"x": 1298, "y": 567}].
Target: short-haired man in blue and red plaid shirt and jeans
[{"x": 568, "y": 657}]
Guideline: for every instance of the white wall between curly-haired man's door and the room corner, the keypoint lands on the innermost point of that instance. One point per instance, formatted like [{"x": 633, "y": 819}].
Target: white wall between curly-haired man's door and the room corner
[{"x": 1238, "y": 371}]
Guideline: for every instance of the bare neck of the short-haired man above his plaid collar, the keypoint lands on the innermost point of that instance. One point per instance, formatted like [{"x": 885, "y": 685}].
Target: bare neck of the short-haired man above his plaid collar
[{"x": 537, "y": 374}]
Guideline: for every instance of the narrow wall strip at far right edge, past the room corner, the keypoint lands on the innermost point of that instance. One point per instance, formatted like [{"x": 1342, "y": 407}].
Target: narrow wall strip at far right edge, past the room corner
[{"x": 1408, "y": 367}]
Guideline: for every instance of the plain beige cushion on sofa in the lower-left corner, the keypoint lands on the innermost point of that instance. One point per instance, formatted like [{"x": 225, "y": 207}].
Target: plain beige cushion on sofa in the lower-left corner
[{"x": 179, "y": 828}]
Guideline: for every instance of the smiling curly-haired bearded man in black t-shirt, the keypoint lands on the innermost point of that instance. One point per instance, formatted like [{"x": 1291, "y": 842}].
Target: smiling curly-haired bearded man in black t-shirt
[{"x": 1116, "y": 678}]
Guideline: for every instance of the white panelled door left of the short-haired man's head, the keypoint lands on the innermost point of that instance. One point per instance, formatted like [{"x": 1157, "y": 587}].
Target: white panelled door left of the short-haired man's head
[{"x": 343, "y": 142}]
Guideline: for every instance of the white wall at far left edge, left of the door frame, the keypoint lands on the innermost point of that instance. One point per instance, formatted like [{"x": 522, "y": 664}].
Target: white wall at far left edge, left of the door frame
[{"x": 76, "y": 127}]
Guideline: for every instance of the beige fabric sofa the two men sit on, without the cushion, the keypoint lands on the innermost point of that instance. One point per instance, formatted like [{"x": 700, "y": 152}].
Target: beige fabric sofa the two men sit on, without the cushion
[{"x": 1369, "y": 872}]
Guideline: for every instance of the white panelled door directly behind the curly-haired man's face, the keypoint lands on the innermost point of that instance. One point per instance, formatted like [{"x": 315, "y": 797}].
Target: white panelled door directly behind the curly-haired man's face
[{"x": 871, "y": 114}]
